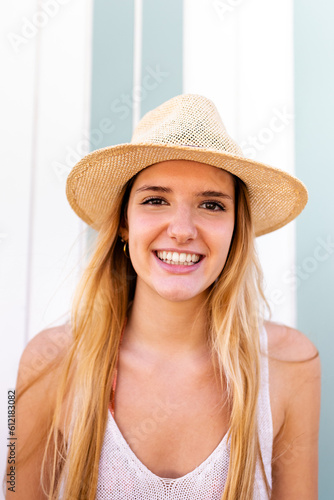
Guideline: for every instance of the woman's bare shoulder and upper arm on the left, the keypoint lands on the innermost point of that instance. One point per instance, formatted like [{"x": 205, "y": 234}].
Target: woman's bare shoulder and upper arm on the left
[{"x": 36, "y": 389}]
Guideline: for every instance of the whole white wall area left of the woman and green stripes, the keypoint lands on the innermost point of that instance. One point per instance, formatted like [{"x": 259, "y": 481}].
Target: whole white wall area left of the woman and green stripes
[{"x": 44, "y": 101}]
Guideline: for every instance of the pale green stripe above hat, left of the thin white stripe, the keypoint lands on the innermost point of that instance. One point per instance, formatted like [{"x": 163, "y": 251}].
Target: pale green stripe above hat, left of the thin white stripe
[{"x": 112, "y": 72}]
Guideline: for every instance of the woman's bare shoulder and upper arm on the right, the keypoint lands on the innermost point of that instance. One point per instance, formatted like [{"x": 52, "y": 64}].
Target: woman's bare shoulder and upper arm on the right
[{"x": 294, "y": 367}]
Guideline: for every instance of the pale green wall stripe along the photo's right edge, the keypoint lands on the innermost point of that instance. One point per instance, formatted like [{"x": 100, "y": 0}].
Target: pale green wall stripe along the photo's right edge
[{"x": 314, "y": 101}]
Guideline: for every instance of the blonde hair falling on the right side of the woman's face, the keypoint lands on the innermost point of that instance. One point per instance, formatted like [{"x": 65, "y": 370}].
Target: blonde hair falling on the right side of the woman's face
[{"x": 236, "y": 312}]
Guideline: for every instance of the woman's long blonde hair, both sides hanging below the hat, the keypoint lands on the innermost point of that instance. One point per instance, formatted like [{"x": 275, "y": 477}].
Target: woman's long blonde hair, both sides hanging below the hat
[{"x": 74, "y": 443}]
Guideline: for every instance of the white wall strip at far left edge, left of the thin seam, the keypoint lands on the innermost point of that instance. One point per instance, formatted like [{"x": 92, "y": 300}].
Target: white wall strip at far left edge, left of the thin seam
[{"x": 18, "y": 57}]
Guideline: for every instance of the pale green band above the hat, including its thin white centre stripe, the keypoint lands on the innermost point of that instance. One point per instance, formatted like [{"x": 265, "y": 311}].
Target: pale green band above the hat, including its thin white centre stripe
[{"x": 133, "y": 77}]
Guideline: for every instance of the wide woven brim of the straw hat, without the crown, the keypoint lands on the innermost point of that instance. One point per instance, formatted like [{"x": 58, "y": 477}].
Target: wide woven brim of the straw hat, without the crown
[{"x": 276, "y": 197}]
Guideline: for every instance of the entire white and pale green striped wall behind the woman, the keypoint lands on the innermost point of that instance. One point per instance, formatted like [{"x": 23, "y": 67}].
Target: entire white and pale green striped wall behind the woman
[{"x": 80, "y": 76}]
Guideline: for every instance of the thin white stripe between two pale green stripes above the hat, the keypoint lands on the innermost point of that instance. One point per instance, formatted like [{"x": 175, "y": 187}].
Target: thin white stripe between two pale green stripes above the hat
[{"x": 137, "y": 53}]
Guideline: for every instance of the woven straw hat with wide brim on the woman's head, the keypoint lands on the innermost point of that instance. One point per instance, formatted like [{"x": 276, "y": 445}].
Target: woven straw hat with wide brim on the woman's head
[{"x": 187, "y": 127}]
